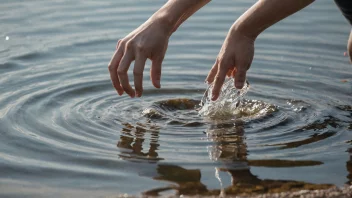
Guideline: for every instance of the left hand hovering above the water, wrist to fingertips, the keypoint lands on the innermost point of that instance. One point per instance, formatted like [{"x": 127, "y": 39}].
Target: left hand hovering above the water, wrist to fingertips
[{"x": 150, "y": 40}]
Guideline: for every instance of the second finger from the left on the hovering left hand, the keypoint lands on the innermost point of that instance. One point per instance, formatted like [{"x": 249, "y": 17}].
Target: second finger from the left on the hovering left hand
[{"x": 122, "y": 74}]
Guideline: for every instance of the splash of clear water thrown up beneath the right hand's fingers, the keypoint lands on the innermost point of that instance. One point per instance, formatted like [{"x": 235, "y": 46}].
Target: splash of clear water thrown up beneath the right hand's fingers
[{"x": 228, "y": 100}]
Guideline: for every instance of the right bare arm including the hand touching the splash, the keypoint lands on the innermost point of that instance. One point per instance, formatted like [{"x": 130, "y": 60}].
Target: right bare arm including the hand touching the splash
[{"x": 236, "y": 54}]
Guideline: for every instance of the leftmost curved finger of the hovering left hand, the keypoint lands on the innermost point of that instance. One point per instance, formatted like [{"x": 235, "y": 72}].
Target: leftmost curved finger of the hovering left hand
[{"x": 113, "y": 65}]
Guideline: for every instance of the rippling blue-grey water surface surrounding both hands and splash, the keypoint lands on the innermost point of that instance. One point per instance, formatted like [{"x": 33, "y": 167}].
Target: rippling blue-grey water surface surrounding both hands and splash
[{"x": 65, "y": 132}]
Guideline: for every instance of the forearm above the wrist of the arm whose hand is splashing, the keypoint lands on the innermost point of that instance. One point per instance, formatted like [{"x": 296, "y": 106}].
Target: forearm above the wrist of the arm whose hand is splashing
[{"x": 265, "y": 13}]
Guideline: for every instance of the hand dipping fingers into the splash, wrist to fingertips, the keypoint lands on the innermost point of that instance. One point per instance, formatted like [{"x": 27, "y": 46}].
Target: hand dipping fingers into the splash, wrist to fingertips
[{"x": 234, "y": 60}]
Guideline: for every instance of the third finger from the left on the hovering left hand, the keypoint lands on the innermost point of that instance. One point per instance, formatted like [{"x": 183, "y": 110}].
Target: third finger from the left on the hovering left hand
[{"x": 138, "y": 74}]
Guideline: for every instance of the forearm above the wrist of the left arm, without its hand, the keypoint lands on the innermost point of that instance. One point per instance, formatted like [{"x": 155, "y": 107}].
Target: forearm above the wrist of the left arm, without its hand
[{"x": 175, "y": 12}]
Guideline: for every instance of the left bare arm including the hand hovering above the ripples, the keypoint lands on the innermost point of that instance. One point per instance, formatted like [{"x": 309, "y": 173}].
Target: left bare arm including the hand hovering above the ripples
[{"x": 150, "y": 40}]
